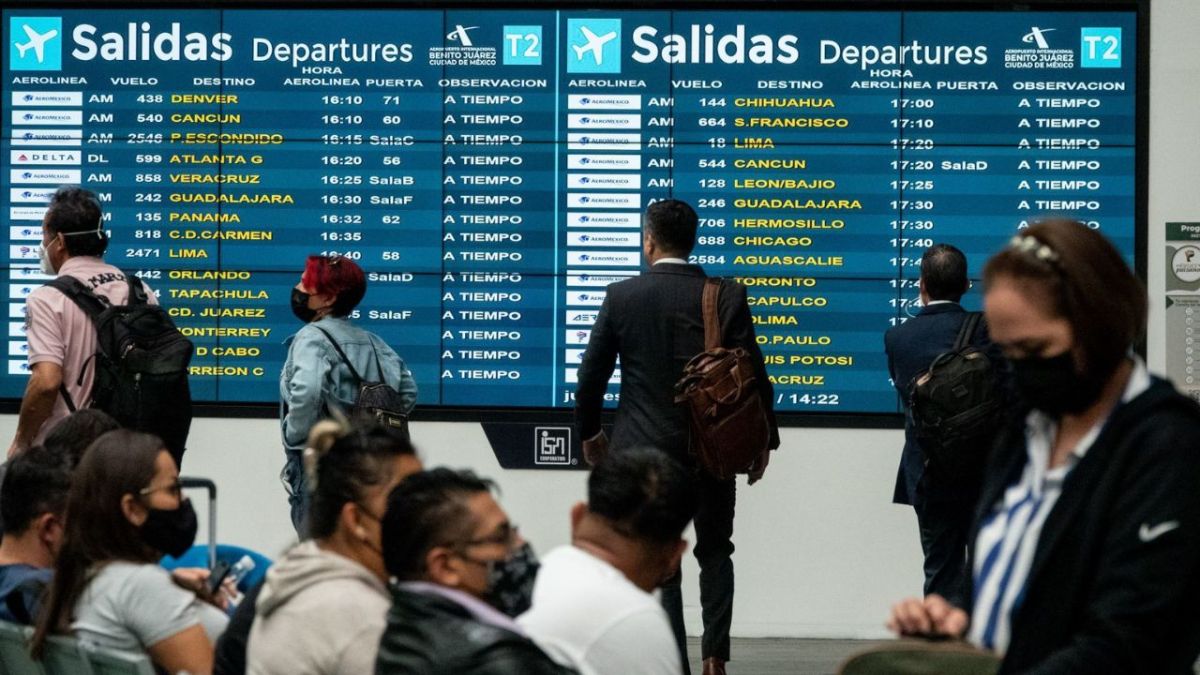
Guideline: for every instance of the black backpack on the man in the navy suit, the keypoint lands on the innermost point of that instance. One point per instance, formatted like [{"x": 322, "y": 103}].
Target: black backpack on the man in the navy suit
[{"x": 956, "y": 407}]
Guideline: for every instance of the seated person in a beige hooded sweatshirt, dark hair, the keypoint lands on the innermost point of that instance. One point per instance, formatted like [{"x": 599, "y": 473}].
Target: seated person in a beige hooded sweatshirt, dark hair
[{"x": 325, "y": 604}]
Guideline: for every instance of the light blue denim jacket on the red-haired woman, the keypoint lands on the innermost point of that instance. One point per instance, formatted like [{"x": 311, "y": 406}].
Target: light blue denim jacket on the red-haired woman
[{"x": 314, "y": 375}]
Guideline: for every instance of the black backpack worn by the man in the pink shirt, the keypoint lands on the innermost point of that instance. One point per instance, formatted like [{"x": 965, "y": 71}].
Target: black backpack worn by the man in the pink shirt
[{"x": 141, "y": 363}]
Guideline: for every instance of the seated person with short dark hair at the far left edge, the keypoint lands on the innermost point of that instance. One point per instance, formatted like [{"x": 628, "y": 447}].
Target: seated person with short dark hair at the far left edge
[{"x": 33, "y": 501}]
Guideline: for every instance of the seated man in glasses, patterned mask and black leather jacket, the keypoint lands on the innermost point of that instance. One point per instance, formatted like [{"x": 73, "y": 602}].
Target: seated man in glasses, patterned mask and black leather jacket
[{"x": 446, "y": 541}]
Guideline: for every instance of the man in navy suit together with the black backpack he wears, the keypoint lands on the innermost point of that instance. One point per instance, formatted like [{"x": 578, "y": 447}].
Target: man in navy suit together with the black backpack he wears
[{"x": 947, "y": 377}]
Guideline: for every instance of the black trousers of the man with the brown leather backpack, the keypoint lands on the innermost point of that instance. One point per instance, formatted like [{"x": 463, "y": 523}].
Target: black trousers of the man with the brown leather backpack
[{"x": 713, "y": 552}]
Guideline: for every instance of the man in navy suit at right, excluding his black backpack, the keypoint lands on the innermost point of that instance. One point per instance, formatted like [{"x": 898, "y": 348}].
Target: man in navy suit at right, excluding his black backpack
[{"x": 944, "y": 507}]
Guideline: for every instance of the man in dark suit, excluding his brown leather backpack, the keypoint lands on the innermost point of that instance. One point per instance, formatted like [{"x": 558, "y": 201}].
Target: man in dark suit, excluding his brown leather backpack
[{"x": 656, "y": 325}]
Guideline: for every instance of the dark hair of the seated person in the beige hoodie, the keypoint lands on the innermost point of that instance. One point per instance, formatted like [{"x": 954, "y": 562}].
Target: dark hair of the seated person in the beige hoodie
[{"x": 347, "y": 463}]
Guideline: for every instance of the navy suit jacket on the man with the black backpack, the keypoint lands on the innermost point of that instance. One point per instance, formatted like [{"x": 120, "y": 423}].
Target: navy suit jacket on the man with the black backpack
[{"x": 911, "y": 348}]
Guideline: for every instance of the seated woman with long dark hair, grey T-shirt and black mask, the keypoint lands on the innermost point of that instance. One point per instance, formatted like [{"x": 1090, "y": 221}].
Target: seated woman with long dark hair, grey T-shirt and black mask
[{"x": 125, "y": 511}]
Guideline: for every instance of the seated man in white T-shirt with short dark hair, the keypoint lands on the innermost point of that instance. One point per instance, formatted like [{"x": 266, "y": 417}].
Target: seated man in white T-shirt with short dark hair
[{"x": 592, "y": 604}]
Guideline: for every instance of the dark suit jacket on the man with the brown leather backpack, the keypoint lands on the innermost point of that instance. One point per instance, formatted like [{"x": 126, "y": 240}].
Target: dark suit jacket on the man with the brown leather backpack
[{"x": 656, "y": 325}]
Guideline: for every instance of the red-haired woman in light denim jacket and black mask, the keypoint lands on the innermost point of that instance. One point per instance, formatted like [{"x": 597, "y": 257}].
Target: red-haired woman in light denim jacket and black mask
[{"x": 323, "y": 357}]
